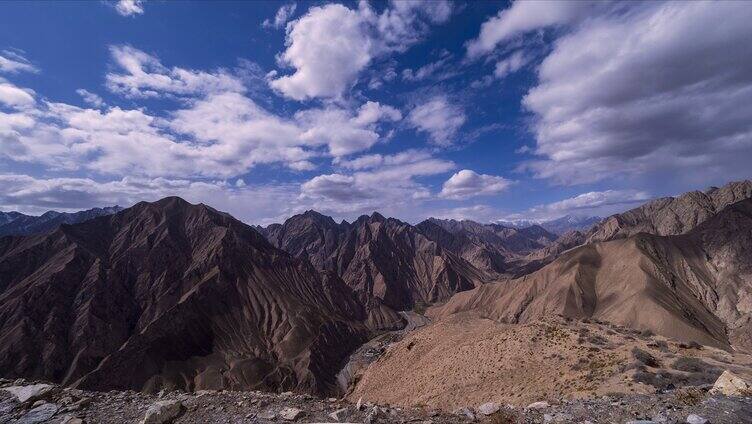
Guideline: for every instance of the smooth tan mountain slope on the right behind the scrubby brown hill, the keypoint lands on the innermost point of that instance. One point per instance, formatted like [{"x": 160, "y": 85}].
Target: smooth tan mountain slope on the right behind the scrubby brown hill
[{"x": 694, "y": 287}]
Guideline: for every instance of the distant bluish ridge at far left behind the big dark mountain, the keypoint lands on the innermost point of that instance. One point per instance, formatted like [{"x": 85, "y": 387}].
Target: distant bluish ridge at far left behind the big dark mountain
[{"x": 14, "y": 223}]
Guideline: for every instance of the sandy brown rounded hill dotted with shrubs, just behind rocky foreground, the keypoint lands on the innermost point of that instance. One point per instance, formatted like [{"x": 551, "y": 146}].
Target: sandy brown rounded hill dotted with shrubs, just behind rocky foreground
[{"x": 468, "y": 360}]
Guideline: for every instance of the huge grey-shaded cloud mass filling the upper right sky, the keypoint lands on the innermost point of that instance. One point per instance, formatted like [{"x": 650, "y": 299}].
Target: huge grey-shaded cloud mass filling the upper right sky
[{"x": 626, "y": 94}]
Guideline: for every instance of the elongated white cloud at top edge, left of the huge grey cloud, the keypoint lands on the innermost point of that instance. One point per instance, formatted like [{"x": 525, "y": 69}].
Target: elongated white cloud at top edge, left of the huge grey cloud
[{"x": 525, "y": 16}]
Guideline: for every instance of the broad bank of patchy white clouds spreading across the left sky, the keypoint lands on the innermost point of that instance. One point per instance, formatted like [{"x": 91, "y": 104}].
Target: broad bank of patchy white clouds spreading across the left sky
[{"x": 218, "y": 131}]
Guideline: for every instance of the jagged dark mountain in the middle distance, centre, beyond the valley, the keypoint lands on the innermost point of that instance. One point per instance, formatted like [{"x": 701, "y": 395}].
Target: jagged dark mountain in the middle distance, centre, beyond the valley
[{"x": 379, "y": 258}]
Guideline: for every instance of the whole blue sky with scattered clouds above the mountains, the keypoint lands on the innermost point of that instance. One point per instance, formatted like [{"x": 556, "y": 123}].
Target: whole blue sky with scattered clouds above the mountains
[{"x": 468, "y": 110}]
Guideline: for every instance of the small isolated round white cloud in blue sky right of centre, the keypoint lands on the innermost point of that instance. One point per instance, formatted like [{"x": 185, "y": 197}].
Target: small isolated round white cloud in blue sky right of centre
[{"x": 439, "y": 118}]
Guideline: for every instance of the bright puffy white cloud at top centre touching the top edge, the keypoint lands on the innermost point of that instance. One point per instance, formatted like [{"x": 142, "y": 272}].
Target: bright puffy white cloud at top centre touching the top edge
[{"x": 331, "y": 45}]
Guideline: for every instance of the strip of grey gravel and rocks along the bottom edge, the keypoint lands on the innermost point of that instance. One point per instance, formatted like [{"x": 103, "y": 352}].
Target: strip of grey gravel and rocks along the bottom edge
[{"x": 25, "y": 402}]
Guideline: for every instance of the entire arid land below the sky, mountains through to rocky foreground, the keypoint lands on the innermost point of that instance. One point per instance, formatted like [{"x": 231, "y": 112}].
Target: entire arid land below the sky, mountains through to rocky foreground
[{"x": 181, "y": 307}]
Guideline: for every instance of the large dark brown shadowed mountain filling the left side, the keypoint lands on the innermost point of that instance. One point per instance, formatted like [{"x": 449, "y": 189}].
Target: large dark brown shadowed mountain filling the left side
[{"x": 170, "y": 294}]
